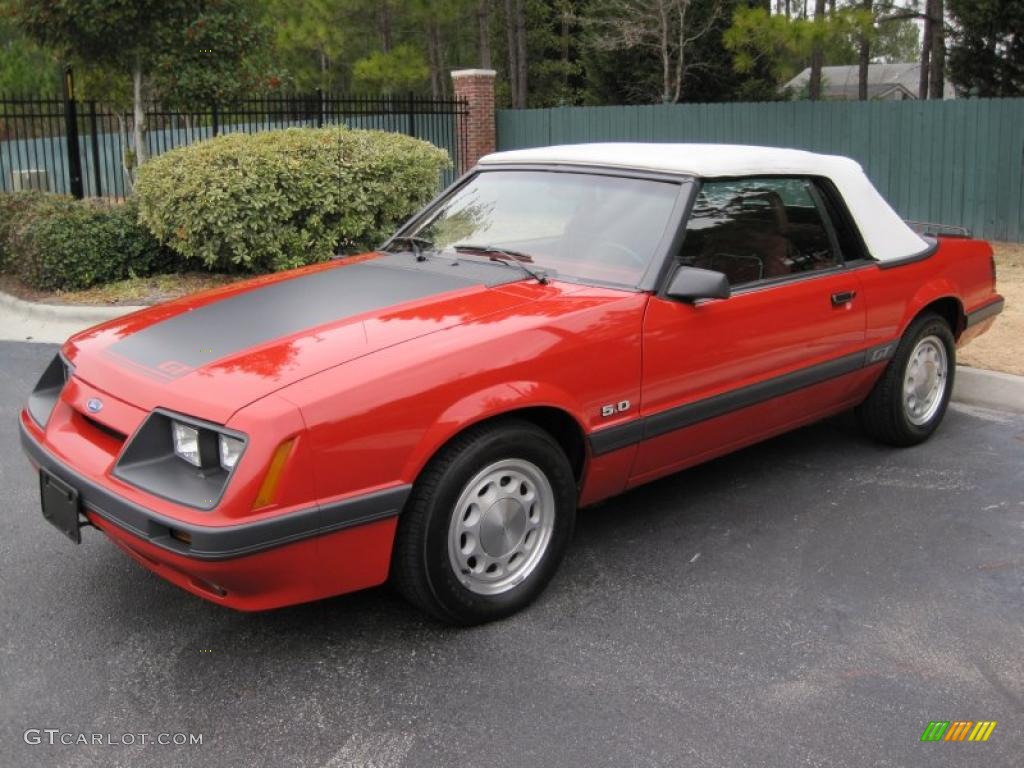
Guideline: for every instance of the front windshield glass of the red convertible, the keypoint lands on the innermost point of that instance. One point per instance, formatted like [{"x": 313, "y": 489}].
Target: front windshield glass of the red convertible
[{"x": 571, "y": 226}]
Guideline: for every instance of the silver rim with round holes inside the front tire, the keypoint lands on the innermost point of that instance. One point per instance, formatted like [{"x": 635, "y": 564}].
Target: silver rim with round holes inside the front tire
[{"x": 501, "y": 527}]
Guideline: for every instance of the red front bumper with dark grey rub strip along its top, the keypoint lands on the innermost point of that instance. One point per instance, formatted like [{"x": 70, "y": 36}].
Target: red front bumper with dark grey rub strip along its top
[{"x": 295, "y": 558}]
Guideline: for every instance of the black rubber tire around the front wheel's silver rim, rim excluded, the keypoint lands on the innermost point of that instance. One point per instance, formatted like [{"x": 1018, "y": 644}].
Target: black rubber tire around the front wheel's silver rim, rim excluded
[{"x": 421, "y": 566}]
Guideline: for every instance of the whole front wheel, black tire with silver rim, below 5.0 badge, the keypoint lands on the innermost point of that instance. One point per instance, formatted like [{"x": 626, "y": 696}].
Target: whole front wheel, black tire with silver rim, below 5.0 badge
[{"x": 487, "y": 526}]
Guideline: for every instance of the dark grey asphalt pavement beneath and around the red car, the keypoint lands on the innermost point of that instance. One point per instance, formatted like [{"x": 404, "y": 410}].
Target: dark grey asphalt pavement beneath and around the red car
[{"x": 816, "y": 601}]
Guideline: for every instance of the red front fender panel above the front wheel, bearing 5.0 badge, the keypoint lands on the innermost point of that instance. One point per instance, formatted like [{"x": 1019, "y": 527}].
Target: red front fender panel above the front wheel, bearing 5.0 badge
[{"x": 375, "y": 421}]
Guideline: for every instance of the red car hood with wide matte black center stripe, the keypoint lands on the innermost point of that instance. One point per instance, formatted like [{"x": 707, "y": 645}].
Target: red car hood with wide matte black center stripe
[{"x": 216, "y": 353}]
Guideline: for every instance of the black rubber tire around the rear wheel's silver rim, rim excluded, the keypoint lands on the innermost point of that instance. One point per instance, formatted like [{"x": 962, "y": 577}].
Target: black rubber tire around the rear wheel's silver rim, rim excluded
[{"x": 883, "y": 415}]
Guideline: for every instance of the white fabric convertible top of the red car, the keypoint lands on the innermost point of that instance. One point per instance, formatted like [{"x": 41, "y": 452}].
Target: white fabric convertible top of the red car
[{"x": 886, "y": 235}]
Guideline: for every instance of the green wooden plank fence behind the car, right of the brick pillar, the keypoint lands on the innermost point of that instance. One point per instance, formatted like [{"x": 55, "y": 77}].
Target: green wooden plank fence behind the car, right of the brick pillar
[{"x": 958, "y": 162}]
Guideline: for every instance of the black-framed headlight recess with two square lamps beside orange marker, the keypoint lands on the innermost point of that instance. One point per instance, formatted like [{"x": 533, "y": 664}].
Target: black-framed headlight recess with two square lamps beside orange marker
[{"x": 187, "y": 460}]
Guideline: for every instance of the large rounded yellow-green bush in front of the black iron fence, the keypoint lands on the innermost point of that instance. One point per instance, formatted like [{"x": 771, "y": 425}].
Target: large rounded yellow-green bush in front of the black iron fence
[{"x": 283, "y": 199}]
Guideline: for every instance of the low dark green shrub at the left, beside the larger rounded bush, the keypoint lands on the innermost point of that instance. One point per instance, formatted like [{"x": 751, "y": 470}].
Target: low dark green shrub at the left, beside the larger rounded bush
[{"x": 60, "y": 243}]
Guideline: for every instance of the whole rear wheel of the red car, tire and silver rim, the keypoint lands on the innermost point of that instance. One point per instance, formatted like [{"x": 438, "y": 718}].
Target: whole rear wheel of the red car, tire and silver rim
[{"x": 909, "y": 402}]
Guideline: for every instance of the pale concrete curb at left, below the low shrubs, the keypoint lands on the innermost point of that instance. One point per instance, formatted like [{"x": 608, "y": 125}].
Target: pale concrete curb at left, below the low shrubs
[{"x": 30, "y": 321}]
